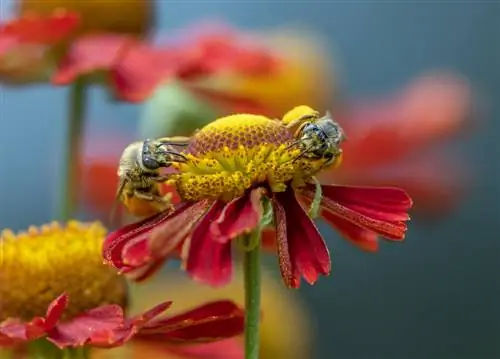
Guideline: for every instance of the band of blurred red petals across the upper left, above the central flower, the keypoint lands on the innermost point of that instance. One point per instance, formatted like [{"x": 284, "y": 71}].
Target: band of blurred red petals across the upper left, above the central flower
[{"x": 136, "y": 68}]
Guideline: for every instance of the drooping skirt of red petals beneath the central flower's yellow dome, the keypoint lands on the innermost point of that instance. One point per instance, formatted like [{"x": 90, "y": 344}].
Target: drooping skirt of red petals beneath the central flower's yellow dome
[{"x": 204, "y": 231}]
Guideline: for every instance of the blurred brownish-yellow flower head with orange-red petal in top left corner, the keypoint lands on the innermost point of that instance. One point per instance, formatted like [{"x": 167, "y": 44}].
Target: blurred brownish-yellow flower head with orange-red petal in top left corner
[{"x": 33, "y": 45}]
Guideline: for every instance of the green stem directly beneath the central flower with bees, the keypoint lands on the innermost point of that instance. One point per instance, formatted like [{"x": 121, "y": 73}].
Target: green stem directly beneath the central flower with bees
[{"x": 251, "y": 265}]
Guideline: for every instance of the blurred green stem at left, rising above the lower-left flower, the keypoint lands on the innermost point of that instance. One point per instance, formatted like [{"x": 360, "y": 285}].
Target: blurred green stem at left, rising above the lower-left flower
[{"x": 76, "y": 117}]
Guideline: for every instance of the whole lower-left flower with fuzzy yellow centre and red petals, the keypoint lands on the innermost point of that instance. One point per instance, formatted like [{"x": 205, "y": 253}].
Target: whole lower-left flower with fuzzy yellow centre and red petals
[{"x": 54, "y": 285}]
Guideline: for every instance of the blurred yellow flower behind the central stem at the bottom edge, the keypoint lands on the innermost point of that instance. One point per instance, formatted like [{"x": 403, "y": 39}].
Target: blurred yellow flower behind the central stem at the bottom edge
[{"x": 278, "y": 341}]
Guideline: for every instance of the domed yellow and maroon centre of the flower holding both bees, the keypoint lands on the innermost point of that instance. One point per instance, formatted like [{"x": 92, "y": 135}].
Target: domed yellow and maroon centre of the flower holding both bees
[{"x": 237, "y": 152}]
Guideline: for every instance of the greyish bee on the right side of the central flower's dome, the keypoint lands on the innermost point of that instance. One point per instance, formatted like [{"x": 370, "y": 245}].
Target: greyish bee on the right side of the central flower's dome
[{"x": 317, "y": 137}]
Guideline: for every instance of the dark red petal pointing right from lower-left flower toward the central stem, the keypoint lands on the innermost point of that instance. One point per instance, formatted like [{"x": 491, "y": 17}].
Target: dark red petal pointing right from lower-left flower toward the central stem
[{"x": 212, "y": 321}]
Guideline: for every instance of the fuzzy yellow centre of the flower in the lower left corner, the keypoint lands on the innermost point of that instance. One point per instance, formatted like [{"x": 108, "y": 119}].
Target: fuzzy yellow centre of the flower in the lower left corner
[{"x": 39, "y": 265}]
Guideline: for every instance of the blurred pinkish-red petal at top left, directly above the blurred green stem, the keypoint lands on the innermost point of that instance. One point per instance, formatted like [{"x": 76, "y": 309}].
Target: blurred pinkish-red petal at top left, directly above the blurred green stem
[{"x": 89, "y": 54}]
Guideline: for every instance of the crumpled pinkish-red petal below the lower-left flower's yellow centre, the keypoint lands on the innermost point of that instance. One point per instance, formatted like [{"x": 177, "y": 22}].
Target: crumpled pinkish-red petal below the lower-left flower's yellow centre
[{"x": 99, "y": 322}]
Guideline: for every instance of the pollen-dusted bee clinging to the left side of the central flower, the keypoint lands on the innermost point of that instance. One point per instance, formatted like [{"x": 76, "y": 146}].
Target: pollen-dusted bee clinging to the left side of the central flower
[{"x": 140, "y": 177}]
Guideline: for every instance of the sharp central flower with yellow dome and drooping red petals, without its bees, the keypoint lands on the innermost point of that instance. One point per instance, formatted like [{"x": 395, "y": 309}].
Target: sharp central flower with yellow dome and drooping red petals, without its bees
[{"x": 235, "y": 166}]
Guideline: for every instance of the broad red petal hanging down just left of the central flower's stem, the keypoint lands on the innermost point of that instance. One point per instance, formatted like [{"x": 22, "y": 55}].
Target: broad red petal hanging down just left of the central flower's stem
[{"x": 208, "y": 260}]
